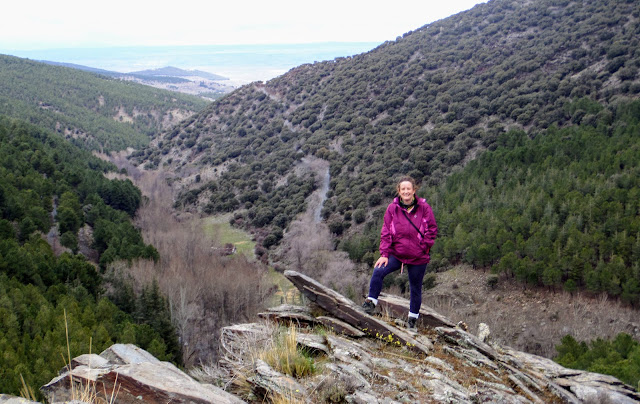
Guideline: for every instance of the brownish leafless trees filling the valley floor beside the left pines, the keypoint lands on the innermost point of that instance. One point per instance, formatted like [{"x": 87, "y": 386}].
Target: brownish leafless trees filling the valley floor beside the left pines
[{"x": 206, "y": 291}]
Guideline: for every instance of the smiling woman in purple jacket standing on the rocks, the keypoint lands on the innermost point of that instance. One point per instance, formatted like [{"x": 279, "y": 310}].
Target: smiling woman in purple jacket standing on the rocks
[{"x": 408, "y": 232}]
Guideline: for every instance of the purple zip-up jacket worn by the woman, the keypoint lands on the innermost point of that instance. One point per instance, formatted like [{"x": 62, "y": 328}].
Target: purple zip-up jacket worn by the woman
[{"x": 400, "y": 239}]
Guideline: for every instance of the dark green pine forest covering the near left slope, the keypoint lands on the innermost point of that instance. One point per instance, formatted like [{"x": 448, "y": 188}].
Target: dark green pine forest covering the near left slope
[{"x": 50, "y": 187}]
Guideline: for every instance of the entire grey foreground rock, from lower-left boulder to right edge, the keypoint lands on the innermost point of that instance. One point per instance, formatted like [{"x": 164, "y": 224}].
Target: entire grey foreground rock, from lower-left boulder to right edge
[{"x": 357, "y": 358}]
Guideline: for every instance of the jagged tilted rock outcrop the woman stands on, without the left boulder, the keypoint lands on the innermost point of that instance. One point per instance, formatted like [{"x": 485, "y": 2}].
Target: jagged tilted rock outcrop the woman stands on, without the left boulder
[{"x": 446, "y": 364}]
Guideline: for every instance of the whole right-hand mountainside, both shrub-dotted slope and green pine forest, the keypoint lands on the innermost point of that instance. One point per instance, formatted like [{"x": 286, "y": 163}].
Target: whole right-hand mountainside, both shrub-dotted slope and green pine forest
[{"x": 426, "y": 105}]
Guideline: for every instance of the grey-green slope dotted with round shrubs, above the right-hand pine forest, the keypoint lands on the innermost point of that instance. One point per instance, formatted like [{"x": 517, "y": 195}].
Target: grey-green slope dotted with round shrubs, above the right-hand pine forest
[{"x": 424, "y": 104}]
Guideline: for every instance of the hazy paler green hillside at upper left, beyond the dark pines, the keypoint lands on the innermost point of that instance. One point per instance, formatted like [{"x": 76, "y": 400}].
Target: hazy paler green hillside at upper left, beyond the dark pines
[{"x": 96, "y": 112}]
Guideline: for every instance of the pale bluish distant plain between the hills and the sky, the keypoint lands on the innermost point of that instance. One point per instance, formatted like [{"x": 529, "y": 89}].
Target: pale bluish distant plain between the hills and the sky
[{"x": 240, "y": 63}]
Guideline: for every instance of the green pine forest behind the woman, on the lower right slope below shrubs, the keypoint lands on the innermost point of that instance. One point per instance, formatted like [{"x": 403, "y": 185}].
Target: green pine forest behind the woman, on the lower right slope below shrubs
[{"x": 559, "y": 210}]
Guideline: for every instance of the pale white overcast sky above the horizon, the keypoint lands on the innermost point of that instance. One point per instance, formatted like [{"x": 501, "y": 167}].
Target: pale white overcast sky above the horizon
[{"x": 42, "y": 24}]
